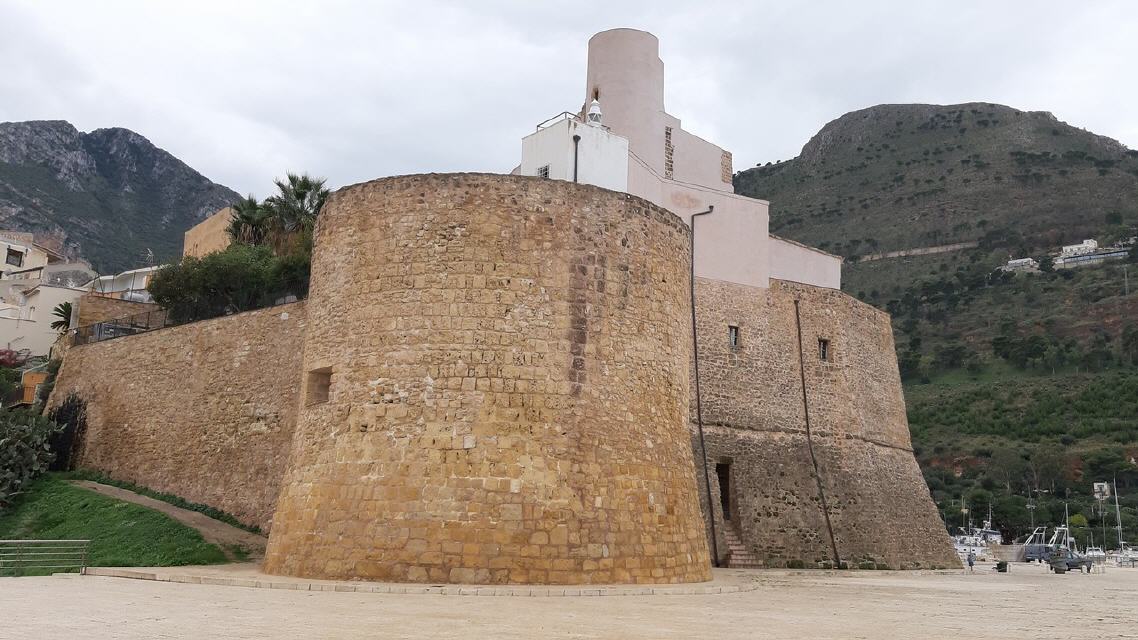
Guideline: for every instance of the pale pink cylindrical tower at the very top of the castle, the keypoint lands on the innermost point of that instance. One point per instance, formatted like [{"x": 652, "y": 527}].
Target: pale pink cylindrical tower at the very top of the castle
[{"x": 626, "y": 76}]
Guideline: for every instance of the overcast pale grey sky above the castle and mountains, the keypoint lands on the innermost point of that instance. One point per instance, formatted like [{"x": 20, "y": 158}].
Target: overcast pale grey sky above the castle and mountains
[{"x": 246, "y": 91}]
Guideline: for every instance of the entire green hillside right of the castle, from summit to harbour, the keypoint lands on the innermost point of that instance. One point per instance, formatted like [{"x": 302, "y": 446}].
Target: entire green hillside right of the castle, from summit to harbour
[{"x": 1021, "y": 389}]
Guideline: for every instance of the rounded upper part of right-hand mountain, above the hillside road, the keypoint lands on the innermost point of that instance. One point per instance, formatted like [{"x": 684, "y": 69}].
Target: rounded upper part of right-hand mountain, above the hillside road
[{"x": 898, "y": 177}]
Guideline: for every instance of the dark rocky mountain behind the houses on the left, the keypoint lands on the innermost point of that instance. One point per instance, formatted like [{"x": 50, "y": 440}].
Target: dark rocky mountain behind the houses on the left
[{"x": 110, "y": 196}]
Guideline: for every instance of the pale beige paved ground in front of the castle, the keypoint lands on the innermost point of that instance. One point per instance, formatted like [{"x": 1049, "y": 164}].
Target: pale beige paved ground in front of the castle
[{"x": 1028, "y": 604}]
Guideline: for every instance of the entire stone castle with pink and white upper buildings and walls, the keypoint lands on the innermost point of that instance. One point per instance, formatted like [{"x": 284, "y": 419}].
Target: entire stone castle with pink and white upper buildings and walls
[{"x": 496, "y": 379}]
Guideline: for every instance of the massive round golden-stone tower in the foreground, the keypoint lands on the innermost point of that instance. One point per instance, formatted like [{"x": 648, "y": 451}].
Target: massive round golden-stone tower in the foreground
[{"x": 497, "y": 389}]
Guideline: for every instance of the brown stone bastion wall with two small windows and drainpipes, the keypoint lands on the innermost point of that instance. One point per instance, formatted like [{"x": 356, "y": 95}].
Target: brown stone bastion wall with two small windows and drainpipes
[{"x": 868, "y": 502}]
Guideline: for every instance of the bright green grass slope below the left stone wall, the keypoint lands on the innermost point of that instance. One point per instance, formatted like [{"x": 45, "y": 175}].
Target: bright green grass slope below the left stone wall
[{"x": 122, "y": 535}]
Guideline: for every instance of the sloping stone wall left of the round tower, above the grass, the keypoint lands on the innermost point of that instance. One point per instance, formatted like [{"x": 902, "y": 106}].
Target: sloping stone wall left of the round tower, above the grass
[{"x": 205, "y": 412}]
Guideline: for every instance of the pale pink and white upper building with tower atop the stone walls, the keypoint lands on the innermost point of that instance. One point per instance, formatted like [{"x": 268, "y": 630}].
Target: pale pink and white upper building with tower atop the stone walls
[{"x": 622, "y": 140}]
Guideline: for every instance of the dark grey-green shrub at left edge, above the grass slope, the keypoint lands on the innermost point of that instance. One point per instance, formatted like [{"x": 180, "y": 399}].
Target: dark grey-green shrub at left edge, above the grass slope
[{"x": 26, "y": 452}]
